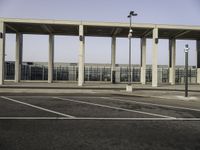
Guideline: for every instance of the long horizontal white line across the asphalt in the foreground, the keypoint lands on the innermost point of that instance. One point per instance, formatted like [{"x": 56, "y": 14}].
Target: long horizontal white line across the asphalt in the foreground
[{"x": 91, "y": 118}]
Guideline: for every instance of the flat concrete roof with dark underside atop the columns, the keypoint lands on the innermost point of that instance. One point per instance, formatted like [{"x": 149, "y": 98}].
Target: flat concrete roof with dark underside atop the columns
[{"x": 99, "y": 29}]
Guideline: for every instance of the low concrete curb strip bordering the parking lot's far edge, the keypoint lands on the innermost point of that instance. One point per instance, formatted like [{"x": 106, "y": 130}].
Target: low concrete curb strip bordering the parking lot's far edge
[{"x": 85, "y": 91}]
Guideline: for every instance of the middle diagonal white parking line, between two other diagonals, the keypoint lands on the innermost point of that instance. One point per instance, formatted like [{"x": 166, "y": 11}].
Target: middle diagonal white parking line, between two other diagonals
[{"x": 112, "y": 107}]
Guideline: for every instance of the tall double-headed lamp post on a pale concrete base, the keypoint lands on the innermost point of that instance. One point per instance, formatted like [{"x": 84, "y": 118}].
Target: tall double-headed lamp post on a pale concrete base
[{"x": 132, "y": 13}]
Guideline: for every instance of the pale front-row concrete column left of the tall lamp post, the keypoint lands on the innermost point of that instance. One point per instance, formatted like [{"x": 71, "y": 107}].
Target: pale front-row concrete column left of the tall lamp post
[{"x": 81, "y": 56}]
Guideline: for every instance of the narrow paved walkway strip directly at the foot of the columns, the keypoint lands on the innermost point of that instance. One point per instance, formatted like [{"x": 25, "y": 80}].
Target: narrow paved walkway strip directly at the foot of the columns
[{"x": 97, "y": 85}]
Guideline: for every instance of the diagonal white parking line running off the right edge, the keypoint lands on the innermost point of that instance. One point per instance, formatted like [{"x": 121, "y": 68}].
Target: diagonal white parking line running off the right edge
[{"x": 146, "y": 103}]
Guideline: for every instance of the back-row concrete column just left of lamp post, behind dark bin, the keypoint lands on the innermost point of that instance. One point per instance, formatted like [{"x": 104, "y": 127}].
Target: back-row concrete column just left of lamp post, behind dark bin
[{"x": 113, "y": 58}]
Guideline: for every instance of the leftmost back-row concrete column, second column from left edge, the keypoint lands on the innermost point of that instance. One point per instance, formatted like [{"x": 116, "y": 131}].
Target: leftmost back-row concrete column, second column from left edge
[{"x": 18, "y": 57}]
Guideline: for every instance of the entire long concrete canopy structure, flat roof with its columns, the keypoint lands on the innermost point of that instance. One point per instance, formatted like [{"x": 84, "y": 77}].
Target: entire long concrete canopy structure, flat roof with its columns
[{"x": 100, "y": 29}]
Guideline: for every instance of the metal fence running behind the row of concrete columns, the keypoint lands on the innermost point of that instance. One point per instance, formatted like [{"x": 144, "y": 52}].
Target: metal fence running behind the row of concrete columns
[{"x": 31, "y": 71}]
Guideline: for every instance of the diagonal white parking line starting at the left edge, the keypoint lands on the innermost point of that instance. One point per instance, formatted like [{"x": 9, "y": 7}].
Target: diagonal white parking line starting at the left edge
[{"x": 37, "y": 107}]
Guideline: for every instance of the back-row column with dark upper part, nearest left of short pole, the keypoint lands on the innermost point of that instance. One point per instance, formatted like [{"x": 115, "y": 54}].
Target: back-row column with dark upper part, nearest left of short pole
[{"x": 172, "y": 61}]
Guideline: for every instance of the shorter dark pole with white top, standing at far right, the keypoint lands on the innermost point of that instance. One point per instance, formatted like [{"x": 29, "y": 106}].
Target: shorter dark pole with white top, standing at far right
[{"x": 186, "y": 69}]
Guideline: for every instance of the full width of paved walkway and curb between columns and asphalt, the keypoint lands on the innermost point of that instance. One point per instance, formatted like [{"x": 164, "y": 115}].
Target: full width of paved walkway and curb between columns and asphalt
[{"x": 162, "y": 91}]
